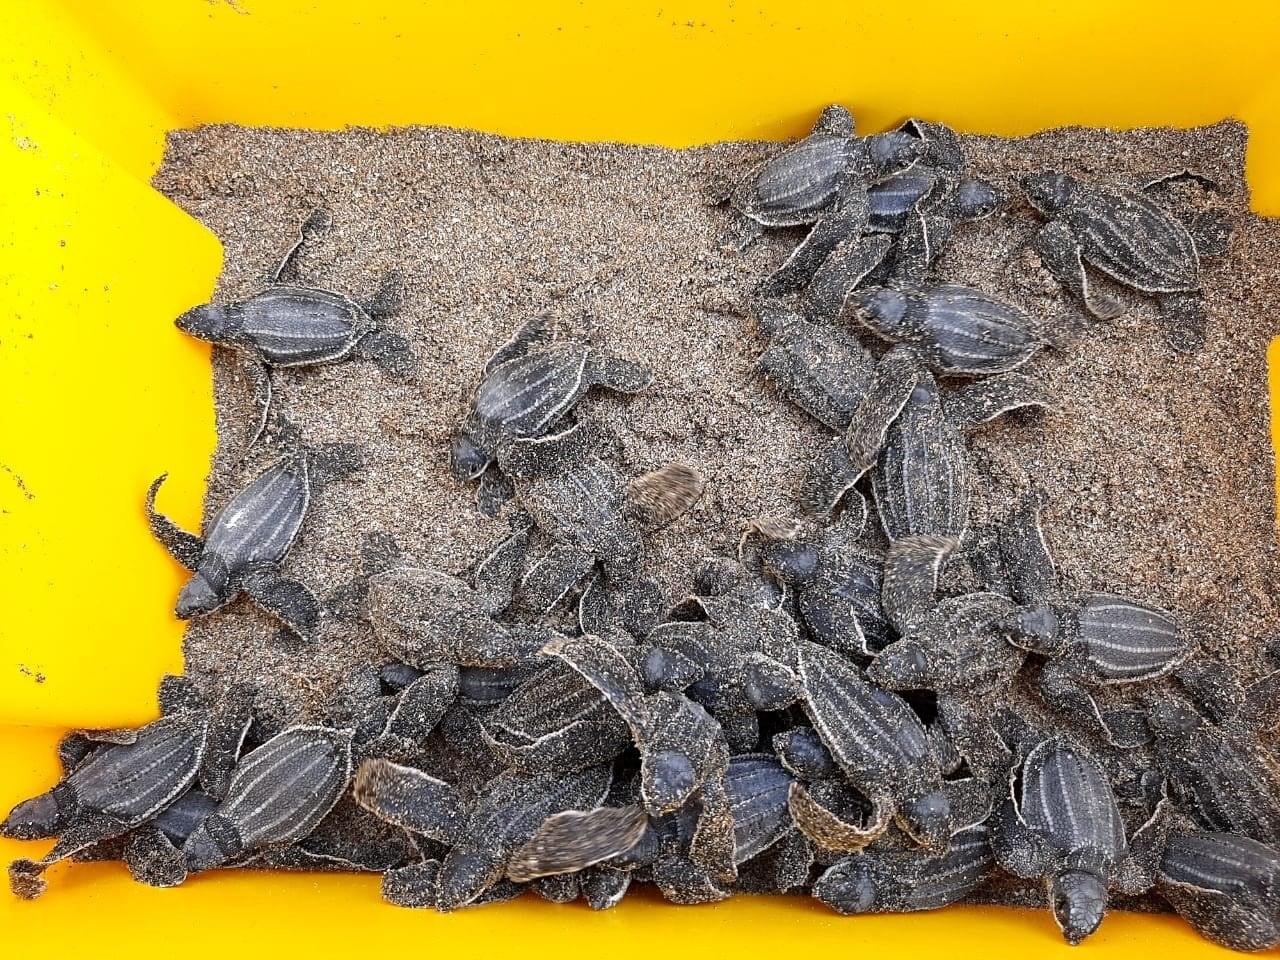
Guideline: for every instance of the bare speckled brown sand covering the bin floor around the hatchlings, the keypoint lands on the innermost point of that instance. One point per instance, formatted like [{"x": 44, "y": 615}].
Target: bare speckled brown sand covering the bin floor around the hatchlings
[{"x": 1158, "y": 467}]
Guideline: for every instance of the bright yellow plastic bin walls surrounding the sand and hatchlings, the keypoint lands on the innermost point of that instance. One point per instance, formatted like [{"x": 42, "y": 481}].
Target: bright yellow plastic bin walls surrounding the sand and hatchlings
[{"x": 99, "y": 394}]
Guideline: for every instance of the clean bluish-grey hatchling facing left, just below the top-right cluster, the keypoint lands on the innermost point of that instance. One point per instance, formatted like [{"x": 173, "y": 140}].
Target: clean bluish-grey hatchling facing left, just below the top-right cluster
[{"x": 953, "y": 330}]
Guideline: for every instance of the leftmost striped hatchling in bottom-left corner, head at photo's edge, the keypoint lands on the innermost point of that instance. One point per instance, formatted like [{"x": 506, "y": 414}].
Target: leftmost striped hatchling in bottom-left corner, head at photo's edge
[{"x": 113, "y": 790}]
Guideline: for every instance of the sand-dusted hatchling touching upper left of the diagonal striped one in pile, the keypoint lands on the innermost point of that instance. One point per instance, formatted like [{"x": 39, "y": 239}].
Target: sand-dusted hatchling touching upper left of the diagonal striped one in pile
[{"x": 747, "y": 655}]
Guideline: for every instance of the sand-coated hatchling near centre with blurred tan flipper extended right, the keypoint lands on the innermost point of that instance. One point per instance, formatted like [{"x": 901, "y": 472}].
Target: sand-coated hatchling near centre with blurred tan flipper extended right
[{"x": 593, "y": 515}]
